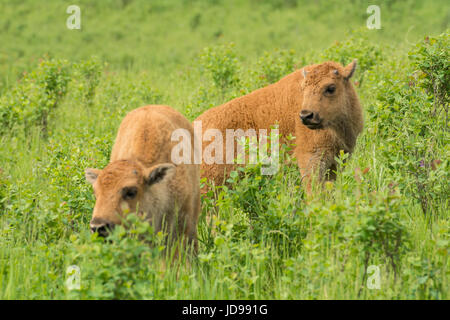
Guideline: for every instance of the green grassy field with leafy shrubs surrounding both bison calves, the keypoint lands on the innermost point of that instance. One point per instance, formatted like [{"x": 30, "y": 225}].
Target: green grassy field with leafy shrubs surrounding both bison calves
[{"x": 64, "y": 92}]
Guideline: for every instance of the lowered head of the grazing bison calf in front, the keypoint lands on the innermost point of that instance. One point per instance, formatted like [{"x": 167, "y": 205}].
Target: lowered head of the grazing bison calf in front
[{"x": 125, "y": 187}]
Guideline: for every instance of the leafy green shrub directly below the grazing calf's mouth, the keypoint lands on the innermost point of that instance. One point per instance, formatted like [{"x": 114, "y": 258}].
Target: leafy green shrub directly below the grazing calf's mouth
[{"x": 121, "y": 267}]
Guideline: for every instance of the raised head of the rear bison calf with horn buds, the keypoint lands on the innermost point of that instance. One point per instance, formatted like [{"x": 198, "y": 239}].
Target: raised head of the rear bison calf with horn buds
[{"x": 327, "y": 94}]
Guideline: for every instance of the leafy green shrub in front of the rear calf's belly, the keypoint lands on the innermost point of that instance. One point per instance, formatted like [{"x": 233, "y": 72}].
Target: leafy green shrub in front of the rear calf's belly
[{"x": 268, "y": 205}]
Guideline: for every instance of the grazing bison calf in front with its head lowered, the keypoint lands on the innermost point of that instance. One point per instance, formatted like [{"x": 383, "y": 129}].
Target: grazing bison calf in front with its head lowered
[{"x": 140, "y": 177}]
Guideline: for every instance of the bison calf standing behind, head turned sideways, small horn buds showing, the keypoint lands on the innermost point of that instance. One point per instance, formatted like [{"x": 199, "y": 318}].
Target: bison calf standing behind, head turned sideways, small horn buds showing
[{"x": 336, "y": 122}]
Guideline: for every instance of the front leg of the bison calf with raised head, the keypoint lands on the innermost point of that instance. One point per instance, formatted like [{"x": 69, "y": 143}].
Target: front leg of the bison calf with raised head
[{"x": 318, "y": 166}]
